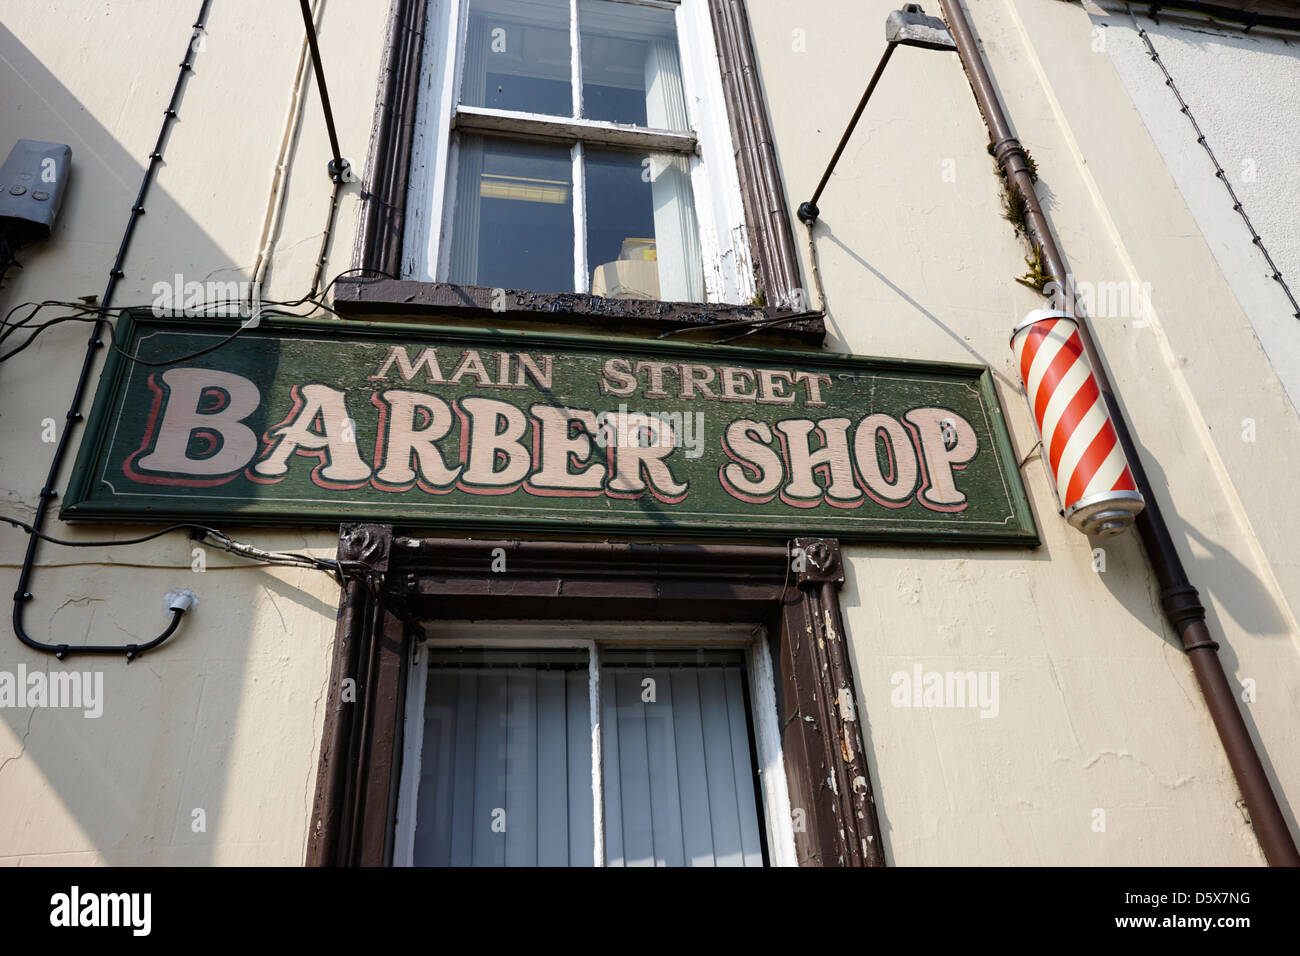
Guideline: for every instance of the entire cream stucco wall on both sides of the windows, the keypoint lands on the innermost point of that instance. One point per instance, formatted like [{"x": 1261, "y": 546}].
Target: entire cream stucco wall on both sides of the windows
[{"x": 1098, "y": 707}]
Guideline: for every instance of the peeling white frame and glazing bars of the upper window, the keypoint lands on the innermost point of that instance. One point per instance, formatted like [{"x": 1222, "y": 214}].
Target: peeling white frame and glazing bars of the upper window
[{"x": 729, "y": 269}]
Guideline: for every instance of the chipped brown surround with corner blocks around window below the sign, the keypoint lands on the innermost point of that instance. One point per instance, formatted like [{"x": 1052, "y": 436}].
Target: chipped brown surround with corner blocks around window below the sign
[{"x": 396, "y": 582}]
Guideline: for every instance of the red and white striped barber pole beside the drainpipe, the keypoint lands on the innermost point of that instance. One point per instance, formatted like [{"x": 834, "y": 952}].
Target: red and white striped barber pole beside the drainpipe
[{"x": 1081, "y": 447}]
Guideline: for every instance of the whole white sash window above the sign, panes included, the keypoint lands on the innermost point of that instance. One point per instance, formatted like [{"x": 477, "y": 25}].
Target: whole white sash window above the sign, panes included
[{"x": 577, "y": 146}]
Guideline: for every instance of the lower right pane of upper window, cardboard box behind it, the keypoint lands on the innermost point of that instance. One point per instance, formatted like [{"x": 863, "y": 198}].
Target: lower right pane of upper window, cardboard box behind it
[{"x": 642, "y": 235}]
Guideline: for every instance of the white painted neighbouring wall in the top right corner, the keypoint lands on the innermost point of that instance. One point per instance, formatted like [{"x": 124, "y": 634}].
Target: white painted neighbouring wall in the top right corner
[{"x": 1245, "y": 92}]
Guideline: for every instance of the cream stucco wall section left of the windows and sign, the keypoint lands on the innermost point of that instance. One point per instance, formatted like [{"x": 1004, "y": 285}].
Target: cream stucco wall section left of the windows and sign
[{"x": 227, "y": 719}]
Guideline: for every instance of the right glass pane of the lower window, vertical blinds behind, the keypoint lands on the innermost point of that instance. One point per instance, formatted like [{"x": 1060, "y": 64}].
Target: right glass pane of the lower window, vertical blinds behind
[{"x": 679, "y": 777}]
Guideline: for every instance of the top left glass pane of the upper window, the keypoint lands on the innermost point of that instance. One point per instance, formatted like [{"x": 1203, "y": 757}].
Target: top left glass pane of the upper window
[{"x": 518, "y": 57}]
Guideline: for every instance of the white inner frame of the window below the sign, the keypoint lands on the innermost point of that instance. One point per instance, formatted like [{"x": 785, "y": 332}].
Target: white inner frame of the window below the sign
[{"x": 532, "y": 635}]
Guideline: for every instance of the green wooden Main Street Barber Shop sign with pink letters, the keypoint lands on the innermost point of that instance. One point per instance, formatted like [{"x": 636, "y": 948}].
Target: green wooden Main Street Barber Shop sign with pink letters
[{"x": 300, "y": 422}]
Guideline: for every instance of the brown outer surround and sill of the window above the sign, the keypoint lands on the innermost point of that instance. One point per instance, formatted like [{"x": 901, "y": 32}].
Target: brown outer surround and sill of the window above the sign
[{"x": 387, "y": 180}]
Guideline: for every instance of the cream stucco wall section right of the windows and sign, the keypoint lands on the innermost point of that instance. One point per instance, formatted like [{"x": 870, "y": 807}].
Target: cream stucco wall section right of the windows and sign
[{"x": 1099, "y": 710}]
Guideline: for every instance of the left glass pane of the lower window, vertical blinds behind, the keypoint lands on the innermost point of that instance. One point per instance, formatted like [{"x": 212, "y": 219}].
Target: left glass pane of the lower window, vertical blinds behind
[{"x": 506, "y": 767}]
